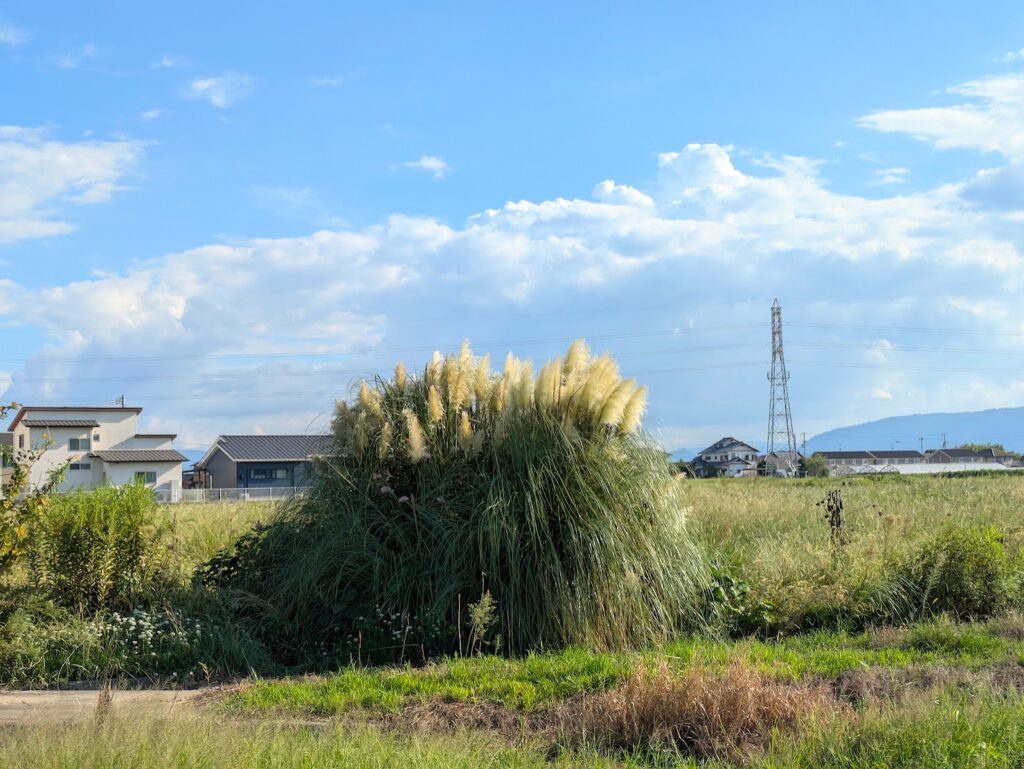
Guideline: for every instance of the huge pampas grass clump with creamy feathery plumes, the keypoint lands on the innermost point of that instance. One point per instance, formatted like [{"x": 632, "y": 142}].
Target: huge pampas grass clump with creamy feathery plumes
[{"x": 443, "y": 488}]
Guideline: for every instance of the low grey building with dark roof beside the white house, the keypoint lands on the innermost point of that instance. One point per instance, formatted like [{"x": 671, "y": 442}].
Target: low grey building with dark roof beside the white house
[{"x": 260, "y": 461}]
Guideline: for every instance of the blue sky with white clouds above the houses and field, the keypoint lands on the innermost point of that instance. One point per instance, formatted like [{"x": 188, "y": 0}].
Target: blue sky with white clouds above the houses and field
[{"x": 230, "y": 213}]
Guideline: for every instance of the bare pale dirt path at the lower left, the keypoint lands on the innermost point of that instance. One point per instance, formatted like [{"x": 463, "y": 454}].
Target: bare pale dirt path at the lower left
[{"x": 21, "y": 708}]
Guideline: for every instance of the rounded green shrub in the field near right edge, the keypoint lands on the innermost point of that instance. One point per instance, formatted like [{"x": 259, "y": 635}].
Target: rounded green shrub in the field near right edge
[{"x": 964, "y": 572}]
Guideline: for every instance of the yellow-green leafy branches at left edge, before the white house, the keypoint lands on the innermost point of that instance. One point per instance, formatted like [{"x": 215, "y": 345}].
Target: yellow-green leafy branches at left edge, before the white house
[{"x": 20, "y": 503}]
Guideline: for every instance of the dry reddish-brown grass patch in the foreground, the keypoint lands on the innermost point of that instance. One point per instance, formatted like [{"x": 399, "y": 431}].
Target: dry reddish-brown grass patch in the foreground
[{"x": 727, "y": 716}]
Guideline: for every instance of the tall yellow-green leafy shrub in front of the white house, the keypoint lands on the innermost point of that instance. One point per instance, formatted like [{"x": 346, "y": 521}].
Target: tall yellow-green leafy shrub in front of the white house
[{"x": 97, "y": 549}]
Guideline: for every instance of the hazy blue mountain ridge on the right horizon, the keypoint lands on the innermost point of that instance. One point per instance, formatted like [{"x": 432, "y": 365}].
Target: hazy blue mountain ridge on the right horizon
[{"x": 1004, "y": 426}]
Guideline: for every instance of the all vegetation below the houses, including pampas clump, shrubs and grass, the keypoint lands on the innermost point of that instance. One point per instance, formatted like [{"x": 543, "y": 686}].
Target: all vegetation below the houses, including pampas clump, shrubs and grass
[{"x": 446, "y": 596}]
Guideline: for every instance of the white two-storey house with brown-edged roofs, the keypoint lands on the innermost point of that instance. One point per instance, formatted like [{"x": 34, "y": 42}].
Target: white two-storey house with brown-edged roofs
[{"x": 103, "y": 446}]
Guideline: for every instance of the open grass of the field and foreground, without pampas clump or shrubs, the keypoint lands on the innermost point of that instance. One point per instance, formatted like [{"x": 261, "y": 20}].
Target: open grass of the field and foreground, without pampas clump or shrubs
[{"x": 928, "y": 693}]
